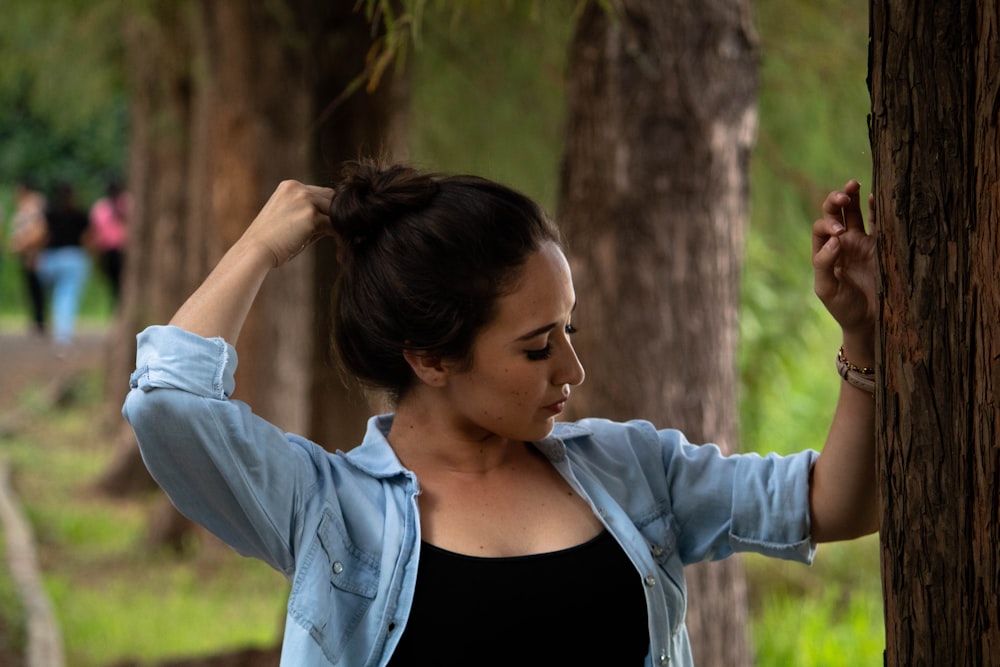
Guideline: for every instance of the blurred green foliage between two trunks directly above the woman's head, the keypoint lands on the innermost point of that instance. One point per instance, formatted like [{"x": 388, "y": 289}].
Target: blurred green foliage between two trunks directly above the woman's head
[{"x": 500, "y": 113}]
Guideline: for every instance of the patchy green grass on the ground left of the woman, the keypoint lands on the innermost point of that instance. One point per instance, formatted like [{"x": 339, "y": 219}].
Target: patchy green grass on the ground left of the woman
[{"x": 116, "y": 598}]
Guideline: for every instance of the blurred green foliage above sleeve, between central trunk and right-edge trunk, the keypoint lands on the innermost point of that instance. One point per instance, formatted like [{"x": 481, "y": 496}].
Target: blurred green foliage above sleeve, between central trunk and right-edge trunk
[{"x": 812, "y": 138}]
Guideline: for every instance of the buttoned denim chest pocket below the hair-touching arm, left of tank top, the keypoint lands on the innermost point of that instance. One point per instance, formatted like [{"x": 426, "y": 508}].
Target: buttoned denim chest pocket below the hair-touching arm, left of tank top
[{"x": 334, "y": 587}]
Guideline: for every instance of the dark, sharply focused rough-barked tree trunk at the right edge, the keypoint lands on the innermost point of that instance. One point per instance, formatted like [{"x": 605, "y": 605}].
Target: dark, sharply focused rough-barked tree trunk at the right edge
[{"x": 935, "y": 87}]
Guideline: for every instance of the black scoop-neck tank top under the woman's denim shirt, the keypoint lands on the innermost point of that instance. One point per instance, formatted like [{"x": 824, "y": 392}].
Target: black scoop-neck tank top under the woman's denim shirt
[{"x": 579, "y": 606}]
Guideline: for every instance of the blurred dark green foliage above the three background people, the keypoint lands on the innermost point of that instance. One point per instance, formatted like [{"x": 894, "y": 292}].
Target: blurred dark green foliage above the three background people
[{"x": 63, "y": 106}]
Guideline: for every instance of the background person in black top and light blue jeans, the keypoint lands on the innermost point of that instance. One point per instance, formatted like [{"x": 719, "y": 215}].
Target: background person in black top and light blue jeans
[{"x": 64, "y": 265}]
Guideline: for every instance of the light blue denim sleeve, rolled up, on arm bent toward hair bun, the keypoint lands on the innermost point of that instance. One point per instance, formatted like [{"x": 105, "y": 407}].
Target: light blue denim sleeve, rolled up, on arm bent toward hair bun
[{"x": 222, "y": 466}]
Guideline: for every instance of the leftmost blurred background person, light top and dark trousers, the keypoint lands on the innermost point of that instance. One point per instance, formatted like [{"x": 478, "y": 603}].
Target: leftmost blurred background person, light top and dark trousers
[{"x": 29, "y": 235}]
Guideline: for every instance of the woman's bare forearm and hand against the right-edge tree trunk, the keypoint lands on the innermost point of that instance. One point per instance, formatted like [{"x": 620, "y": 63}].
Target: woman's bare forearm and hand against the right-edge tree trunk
[{"x": 843, "y": 499}]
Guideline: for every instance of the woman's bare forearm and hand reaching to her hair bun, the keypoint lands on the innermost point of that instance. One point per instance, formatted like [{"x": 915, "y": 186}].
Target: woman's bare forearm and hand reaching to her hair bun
[{"x": 294, "y": 216}]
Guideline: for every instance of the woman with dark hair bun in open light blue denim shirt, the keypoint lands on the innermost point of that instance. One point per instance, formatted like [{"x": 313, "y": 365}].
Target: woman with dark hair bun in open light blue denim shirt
[{"x": 470, "y": 527}]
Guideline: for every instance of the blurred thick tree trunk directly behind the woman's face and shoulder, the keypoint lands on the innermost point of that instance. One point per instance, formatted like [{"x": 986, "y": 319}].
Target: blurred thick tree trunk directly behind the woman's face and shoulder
[{"x": 654, "y": 202}]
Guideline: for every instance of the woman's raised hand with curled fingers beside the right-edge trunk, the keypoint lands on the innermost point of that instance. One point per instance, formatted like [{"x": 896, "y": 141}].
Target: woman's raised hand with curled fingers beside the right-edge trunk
[{"x": 843, "y": 258}]
